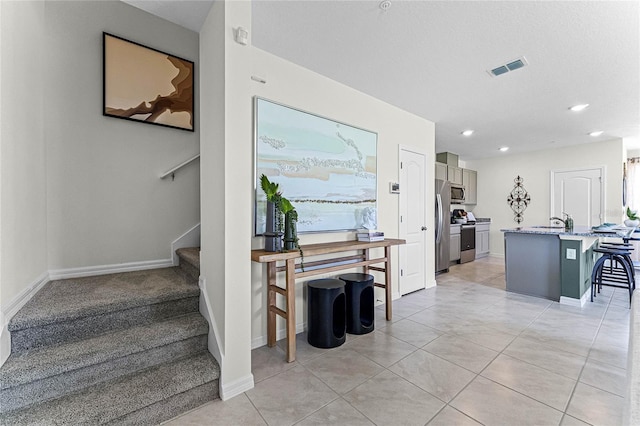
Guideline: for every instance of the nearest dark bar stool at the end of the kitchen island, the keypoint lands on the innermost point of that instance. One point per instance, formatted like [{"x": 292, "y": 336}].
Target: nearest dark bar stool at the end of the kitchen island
[{"x": 612, "y": 269}]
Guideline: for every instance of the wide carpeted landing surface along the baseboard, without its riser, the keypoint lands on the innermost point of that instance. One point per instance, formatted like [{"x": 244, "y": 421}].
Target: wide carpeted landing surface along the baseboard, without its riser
[{"x": 63, "y": 300}]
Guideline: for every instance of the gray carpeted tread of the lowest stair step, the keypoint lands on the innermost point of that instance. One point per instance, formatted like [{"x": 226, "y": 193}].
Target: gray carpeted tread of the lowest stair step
[{"x": 110, "y": 401}]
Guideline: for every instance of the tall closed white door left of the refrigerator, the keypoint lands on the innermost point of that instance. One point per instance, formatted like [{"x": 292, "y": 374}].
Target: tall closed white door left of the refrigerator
[{"x": 412, "y": 221}]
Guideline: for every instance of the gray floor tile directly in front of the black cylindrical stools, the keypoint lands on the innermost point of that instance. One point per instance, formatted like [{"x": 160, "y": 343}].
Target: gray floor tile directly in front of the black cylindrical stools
[{"x": 343, "y": 370}]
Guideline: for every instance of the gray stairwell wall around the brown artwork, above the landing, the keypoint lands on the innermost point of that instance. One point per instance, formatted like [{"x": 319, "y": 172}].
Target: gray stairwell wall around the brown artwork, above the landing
[{"x": 105, "y": 202}]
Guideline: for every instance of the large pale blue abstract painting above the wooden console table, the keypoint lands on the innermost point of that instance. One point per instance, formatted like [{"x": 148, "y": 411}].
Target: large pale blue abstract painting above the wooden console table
[{"x": 327, "y": 169}]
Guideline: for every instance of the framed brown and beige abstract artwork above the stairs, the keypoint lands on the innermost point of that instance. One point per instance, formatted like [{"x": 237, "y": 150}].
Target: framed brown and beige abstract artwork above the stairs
[{"x": 147, "y": 85}]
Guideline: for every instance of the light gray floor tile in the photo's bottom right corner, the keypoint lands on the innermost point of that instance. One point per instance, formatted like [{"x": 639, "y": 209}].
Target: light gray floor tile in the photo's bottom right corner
[{"x": 596, "y": 406}]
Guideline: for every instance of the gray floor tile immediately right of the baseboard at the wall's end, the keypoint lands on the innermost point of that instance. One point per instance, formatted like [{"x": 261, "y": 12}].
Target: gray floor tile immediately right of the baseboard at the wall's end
[{"x": 290, "y": 396}]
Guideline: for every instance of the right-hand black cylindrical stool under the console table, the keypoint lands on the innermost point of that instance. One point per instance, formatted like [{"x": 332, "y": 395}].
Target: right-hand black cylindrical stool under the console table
[{"x": 360, "y": 313}]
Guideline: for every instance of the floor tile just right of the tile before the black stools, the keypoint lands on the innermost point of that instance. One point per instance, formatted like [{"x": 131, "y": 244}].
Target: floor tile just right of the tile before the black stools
[{"x": 435, "y": 375}]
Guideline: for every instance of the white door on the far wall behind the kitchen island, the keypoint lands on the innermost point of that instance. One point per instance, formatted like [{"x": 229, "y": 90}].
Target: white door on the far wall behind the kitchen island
[{"x": 580, "y": 194}]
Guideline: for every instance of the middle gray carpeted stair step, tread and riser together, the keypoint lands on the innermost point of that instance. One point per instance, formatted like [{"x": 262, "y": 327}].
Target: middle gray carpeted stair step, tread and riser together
[{"x": 45, "y": 373}]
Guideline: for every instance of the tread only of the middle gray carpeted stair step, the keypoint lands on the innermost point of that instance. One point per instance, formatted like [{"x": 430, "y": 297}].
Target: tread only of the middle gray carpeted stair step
[{"x": 50, "y": 361}]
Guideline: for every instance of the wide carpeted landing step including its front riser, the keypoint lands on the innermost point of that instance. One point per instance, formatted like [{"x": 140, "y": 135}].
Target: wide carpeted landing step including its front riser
[{"x": 68, "y": 310}]
